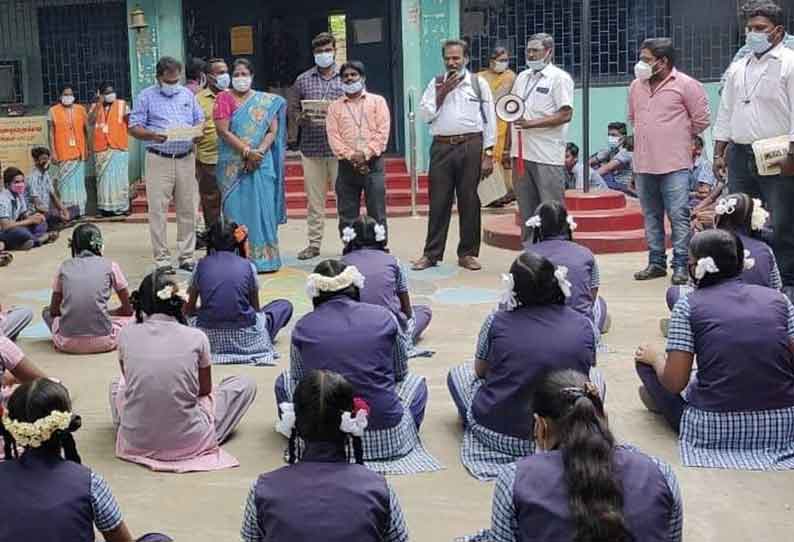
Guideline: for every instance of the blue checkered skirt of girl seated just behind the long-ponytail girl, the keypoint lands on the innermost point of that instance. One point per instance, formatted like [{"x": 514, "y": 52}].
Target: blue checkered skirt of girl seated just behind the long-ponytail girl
[{"x": 484, "y": 452}]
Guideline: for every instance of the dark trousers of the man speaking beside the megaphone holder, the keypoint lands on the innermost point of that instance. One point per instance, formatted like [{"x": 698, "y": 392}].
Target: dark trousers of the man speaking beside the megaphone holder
[{"x": 454, "y": 172}]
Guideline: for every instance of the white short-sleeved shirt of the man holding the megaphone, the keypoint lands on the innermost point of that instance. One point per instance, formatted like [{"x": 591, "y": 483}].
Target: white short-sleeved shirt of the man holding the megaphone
[{"x": 545, "y": 93}]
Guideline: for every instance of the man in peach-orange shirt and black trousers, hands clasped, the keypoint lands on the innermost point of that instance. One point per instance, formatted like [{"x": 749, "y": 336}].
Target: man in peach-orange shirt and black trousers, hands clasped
[{"x": 358, "y": 126}]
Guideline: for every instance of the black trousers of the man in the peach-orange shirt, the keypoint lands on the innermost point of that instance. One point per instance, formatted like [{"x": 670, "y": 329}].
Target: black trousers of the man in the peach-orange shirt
[{"x": 350, "y": 184}]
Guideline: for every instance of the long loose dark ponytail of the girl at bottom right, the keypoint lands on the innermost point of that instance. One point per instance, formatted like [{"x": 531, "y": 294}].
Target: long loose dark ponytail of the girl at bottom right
[{"x": 595, "y": 495}]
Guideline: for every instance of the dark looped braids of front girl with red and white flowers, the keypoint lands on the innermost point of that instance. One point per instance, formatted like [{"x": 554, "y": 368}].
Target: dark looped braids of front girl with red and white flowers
[{"x": 320, "y": 399}]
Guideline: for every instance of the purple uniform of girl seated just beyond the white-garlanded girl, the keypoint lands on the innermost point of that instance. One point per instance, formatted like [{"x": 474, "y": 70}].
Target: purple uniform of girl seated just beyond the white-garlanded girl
[{"x": 385, "y": 281}]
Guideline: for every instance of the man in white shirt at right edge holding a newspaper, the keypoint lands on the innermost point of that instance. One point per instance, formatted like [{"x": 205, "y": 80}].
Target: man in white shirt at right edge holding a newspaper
[{"x": 758, "y": 103}]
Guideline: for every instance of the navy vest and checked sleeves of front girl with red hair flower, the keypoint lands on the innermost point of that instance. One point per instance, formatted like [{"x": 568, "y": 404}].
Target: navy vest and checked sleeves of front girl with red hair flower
[{"x": 323, "y": 493}]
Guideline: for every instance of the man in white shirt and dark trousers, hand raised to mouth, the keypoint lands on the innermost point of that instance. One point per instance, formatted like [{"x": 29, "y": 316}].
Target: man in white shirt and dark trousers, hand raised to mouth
[{"x": 459, "y": 108}]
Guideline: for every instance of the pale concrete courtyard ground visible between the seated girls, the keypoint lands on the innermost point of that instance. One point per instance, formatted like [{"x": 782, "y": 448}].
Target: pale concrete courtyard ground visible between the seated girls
[{"x": 719, "y": 505}]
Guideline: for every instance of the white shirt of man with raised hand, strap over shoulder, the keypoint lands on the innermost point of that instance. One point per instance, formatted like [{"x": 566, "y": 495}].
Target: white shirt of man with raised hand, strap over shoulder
[{"x": 460, "y": 112}]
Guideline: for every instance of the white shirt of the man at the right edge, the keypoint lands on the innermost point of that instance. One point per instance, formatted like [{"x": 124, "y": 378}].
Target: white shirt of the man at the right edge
[{"x": 757, "y": 100}]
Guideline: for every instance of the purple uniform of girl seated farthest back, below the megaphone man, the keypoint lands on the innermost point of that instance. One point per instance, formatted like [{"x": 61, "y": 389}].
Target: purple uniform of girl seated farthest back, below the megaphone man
[{"x": 583, "y": 274}]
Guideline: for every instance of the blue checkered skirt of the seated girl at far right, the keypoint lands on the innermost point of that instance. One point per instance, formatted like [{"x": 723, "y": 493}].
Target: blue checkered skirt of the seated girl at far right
[{"x": 755, "y": 440}]
